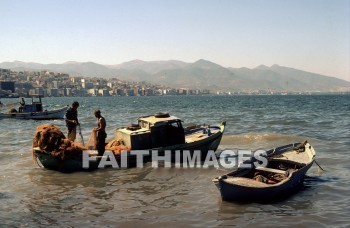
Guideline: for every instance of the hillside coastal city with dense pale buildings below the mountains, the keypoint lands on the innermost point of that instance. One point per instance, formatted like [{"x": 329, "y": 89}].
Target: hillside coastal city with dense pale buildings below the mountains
[{"x": 47, "y": 83}]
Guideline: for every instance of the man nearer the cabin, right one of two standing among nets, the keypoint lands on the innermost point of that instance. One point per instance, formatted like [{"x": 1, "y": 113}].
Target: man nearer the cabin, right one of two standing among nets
[{"x": 100, "y": 132}]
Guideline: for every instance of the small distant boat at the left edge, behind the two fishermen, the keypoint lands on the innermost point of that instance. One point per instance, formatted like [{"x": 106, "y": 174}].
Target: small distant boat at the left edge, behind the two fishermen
[{"x": 34, "y": 111}]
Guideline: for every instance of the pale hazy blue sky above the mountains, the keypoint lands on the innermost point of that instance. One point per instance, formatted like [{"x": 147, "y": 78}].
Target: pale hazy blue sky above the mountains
[{"x": 311, "y": 35}]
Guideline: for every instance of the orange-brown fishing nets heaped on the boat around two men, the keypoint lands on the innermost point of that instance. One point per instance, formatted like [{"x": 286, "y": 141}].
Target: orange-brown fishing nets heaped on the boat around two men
[{"x": 50, "y": 139}]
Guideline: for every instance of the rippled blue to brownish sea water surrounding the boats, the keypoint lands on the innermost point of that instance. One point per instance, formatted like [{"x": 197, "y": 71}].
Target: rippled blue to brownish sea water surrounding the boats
[{"x": 32, "y": 196}]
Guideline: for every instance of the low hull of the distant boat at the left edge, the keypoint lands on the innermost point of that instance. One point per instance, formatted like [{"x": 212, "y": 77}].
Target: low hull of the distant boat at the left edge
[{"x": 45, "y": 115}]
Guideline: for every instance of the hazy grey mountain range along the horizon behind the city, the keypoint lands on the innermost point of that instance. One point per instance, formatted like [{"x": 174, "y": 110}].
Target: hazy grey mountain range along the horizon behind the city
[{"x": 201, "y": 74}]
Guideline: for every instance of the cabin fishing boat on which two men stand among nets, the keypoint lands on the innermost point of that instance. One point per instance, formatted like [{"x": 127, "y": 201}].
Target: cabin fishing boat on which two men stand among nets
[{"x": 160, "y": 132}]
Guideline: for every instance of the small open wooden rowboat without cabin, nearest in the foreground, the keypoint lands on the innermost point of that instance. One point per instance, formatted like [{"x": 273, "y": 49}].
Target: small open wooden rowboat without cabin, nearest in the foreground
[{"x": 283, "y": 175}]
